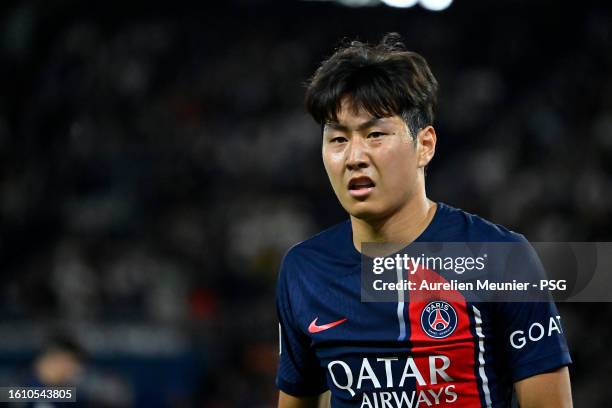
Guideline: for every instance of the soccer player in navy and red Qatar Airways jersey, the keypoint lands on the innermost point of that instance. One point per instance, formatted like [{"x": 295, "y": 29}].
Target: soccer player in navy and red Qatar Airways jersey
[{"x": 375, "y": 105}]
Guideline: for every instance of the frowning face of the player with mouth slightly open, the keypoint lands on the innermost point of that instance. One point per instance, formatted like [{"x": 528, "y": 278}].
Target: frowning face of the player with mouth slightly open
[{"x": 371, "y": 162}]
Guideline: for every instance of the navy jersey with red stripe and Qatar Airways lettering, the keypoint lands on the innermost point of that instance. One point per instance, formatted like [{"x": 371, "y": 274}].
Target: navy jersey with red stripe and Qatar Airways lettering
[{"x": 379, "y": 355}]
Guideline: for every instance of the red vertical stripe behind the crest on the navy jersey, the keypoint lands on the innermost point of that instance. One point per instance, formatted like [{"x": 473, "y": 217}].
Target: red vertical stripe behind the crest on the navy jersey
[{"x": 459, "y": 346}]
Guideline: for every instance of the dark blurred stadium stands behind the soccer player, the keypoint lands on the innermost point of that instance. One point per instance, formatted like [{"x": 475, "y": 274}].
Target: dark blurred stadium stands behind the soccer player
[{"x": 156, "y": 162}]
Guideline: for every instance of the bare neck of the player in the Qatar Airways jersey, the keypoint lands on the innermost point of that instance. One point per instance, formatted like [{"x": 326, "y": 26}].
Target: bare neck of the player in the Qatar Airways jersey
[{"x": 403, "y": 227}]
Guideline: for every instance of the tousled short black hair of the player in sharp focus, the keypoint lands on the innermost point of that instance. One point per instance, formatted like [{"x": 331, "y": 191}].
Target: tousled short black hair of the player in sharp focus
[{"x": 384, "y": 79}]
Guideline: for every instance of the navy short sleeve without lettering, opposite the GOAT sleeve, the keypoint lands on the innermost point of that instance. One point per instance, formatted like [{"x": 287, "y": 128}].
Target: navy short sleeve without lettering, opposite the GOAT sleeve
[{"x": 299, "y": 373}]
